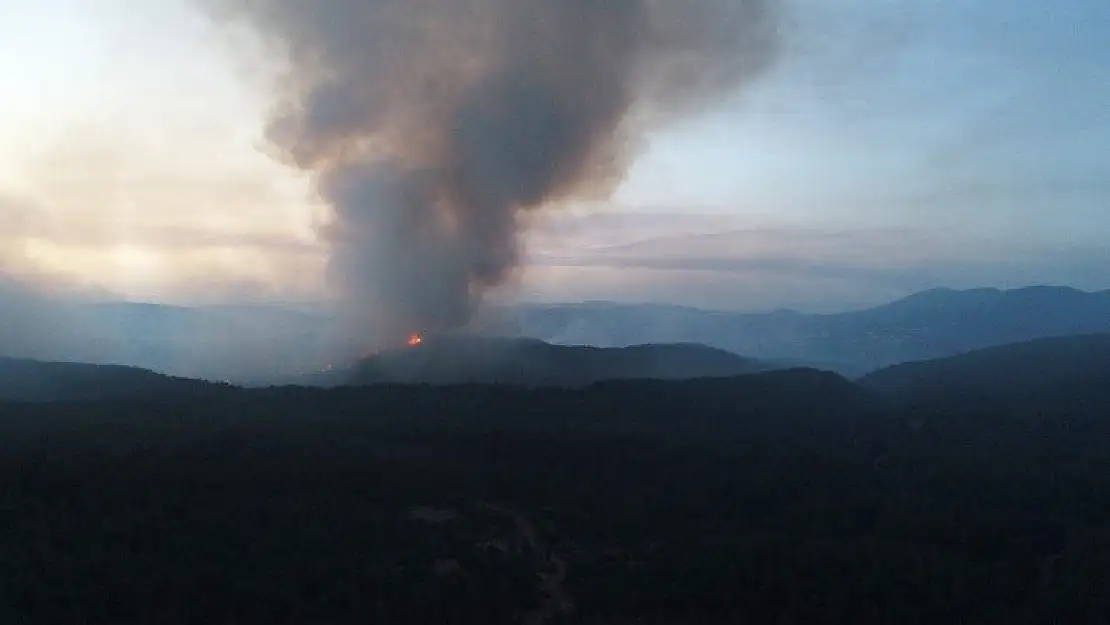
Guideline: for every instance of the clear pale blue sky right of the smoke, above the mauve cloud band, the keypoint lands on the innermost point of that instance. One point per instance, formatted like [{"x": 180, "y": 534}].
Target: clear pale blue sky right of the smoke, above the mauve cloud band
[{"x": 940, "y": 113}]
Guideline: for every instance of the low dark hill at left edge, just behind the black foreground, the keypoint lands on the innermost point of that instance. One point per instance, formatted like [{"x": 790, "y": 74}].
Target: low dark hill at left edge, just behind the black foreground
[{"x": 34, "y": 381}]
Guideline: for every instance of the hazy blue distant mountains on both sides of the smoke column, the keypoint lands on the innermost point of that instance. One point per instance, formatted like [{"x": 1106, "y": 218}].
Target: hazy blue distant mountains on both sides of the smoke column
[{"x": 266, "y": 344}]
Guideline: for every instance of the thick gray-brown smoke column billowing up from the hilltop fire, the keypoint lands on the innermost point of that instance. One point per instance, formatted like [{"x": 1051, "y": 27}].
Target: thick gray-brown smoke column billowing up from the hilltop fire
[{"x": 436, "y": 126}]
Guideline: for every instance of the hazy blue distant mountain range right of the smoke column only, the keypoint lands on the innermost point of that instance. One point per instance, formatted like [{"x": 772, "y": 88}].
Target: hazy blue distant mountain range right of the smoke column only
[{"x": 926, "y": 326}]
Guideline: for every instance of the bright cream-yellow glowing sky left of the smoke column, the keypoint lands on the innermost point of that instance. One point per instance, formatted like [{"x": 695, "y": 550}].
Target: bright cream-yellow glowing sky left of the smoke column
[{"x": 132, "y": 155}]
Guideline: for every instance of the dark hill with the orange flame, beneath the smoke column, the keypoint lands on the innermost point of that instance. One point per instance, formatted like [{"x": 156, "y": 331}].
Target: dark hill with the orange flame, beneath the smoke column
[{"x": 527, "y": 361}]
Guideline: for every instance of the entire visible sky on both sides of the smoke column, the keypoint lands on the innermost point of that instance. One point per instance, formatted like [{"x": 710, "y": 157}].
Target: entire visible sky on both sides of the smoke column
[{"x": 895, "y": 146}]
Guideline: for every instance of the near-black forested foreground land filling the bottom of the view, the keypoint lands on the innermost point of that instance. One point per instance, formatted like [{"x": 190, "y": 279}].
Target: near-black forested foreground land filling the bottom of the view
[{"x": 790, "y": 497}]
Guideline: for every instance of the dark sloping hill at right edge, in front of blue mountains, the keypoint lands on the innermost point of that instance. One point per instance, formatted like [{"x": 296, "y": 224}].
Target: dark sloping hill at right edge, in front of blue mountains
[{"x": 1068, "y": 368}]
